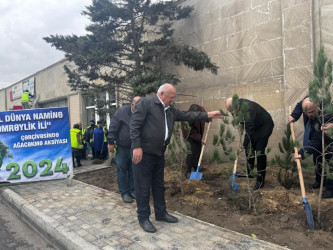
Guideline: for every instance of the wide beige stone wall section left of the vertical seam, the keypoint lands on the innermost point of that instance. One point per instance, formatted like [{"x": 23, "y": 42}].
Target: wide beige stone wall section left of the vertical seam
[{"x": 245, "y": 39}]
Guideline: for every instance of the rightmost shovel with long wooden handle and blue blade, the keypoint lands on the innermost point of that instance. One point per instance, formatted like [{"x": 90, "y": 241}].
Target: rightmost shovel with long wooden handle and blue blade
[{"x": 307, "y": 206}]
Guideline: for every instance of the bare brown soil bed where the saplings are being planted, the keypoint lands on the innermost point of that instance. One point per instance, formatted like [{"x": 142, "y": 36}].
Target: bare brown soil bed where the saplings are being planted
[{"x": 277, "y": 215}]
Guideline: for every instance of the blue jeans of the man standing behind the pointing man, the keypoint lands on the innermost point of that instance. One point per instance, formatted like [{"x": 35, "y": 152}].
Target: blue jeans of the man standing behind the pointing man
[{"x": 124, "y": 170}]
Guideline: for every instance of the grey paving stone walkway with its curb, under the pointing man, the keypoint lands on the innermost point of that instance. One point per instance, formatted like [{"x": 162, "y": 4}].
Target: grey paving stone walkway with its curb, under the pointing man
[{"x": 87, "y": 217}]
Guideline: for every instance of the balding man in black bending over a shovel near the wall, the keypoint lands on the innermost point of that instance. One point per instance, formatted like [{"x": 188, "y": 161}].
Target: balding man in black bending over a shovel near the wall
[{"x": 258, "y": 128}]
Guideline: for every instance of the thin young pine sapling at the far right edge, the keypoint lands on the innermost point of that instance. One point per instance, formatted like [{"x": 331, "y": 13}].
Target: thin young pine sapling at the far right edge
[{"x": 319, "y": 92}]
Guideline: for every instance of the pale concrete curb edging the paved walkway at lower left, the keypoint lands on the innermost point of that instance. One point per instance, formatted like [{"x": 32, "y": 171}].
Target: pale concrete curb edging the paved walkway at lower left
[{"x": 59, "y": 236}]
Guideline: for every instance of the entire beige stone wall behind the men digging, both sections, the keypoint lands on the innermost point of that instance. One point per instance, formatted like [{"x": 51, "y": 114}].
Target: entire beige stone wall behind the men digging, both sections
[{"x": 265, "y": 51}]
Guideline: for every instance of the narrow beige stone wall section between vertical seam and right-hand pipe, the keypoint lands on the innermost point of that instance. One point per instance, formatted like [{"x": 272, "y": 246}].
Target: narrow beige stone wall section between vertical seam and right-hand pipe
[{"x": 298, "y": 52}]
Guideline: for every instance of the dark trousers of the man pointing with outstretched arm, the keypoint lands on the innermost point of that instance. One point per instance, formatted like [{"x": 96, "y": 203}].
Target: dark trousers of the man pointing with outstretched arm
[{"x": 149, "y": 174}]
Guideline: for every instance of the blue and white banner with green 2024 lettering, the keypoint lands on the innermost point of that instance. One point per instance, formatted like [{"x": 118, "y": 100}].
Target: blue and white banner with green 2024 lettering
[{"x": 35, "y": 145}]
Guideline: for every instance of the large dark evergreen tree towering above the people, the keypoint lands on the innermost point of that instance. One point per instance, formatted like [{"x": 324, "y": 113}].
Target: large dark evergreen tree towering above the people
[{"x": 128, "y": 45}]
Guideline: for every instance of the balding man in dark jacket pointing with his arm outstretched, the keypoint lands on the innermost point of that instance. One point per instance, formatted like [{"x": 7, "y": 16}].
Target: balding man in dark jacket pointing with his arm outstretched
[{"x": 151, "y": 129}]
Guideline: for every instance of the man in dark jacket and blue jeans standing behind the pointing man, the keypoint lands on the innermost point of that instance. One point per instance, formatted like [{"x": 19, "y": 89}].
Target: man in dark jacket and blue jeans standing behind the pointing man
[{"x": 119, "y": 134}]
